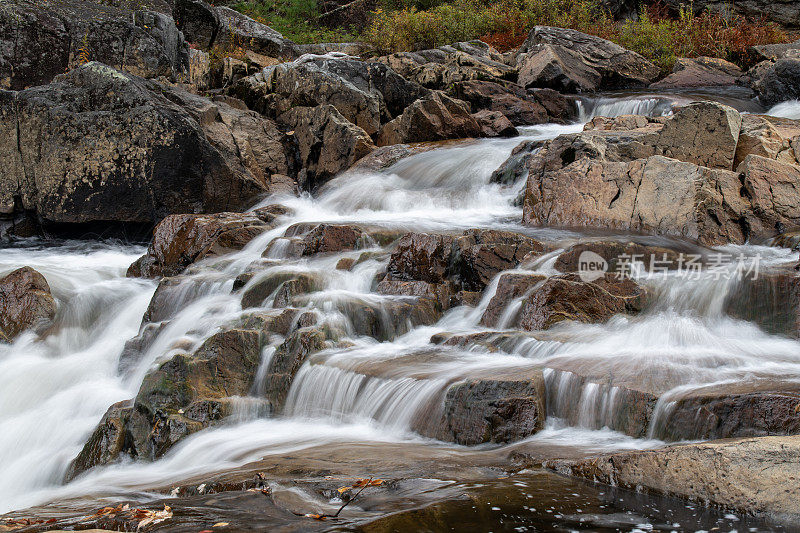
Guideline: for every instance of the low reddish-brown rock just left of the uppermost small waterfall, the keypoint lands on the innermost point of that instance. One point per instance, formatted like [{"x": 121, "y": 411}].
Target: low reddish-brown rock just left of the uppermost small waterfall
[{"x": 508, "y": 100}]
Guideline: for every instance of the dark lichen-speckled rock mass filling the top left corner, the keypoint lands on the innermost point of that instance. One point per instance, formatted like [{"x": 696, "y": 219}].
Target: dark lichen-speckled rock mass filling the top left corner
[{"x": 38, "y": 42}]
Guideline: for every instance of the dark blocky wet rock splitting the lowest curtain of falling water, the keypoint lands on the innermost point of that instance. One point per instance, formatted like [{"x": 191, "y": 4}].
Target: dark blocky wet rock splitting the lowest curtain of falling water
[{"x": 493, "y": 410}]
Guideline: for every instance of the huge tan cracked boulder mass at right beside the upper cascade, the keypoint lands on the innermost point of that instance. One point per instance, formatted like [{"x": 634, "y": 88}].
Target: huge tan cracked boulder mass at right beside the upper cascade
[{"x": 641, "y": 175}]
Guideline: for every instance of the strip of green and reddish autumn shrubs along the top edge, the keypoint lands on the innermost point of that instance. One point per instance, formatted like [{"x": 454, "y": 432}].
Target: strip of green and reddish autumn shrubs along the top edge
[{"x": 400, "y": 25}]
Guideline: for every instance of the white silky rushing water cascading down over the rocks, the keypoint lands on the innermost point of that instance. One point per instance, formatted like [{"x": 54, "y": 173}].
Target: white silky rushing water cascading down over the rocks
[{"x": 54, "y": 391}]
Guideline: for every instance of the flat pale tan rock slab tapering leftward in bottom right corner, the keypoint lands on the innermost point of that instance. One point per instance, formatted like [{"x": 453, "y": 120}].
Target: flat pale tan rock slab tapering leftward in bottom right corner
[{"x": 751, "y": 475}]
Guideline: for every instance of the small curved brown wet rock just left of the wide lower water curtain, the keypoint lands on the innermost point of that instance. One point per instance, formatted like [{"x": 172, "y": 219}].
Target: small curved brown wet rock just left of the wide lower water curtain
[{"x": 287, "y": 360}]
